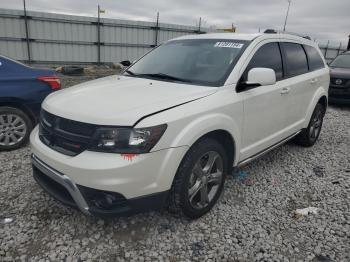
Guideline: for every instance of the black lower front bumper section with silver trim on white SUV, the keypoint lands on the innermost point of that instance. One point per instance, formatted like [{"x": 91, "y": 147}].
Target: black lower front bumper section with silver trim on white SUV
[{"x": 63, "y": 189}]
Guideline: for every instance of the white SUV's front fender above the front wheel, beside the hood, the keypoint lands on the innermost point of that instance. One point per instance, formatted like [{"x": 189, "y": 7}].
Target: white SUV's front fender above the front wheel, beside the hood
[{"x": 189, "y": 122}]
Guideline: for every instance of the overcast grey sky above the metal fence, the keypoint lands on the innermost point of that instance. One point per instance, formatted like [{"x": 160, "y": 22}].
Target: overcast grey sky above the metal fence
[{"x": 321, "y": 19}]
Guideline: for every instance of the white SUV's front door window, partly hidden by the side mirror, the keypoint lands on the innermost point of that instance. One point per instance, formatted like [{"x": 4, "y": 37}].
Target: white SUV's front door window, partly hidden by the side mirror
[{"x": 269, "y": 56}]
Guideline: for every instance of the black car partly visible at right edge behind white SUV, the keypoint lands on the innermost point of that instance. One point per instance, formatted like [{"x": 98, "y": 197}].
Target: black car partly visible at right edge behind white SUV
[{"x": 339, "y": 88}]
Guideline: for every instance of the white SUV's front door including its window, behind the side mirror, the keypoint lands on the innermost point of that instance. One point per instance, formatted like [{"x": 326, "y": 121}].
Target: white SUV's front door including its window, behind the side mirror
[{"x": 265, "y": 107}]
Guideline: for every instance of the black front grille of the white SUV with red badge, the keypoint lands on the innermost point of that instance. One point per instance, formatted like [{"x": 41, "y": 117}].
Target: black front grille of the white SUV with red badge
[{"x": 63, "y": 135}]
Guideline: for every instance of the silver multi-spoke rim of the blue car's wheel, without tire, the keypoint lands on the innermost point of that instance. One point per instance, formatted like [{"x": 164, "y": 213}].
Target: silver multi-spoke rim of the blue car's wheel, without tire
[{"x": 13, "y": 129}]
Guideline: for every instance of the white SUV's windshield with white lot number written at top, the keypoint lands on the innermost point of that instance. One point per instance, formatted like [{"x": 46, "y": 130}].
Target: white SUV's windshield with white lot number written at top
[{"x": 195, "y": 61}]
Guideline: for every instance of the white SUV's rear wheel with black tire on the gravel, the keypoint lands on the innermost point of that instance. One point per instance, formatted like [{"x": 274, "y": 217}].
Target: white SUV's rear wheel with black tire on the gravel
[{"x": 308, "y": 136}]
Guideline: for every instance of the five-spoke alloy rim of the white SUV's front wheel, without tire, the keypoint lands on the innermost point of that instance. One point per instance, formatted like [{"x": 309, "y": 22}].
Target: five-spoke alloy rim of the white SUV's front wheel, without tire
[{"x": 205, "y": 180}]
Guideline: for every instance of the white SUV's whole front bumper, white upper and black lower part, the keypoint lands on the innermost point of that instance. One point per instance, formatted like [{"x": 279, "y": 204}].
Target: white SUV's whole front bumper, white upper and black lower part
[{"x": 139, "y": 184}]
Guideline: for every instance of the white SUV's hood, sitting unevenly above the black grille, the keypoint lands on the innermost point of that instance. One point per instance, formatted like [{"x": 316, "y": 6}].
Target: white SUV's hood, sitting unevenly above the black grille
[{"x": 120, "y": 100}]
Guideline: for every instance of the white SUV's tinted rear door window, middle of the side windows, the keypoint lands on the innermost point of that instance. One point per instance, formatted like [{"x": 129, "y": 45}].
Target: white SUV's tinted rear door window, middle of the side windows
[{"x": 296, "y": 61}]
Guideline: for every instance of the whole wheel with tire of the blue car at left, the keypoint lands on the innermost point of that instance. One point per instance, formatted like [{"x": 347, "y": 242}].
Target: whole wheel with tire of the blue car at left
[{"x": 15, "y": 128}]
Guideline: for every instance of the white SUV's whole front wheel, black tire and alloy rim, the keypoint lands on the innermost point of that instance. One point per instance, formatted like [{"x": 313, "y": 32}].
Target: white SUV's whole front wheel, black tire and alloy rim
[{"x": 187, "y": 195}]
